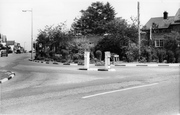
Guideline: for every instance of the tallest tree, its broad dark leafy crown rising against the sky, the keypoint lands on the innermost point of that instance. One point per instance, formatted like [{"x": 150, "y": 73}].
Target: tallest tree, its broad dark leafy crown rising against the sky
[{"x": 94, "y": 18}]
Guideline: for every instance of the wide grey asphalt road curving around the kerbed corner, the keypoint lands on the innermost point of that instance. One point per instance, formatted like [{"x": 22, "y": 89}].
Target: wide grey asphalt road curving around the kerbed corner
[{"x": 64, "y": 90}]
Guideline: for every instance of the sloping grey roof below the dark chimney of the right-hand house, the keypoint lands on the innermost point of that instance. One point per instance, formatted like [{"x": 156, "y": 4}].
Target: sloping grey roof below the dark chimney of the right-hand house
[{"x": 160, "y": 22}]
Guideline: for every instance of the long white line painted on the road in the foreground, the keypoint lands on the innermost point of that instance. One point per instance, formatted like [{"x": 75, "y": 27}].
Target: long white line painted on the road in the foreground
[{"x": 98, "y": 94}]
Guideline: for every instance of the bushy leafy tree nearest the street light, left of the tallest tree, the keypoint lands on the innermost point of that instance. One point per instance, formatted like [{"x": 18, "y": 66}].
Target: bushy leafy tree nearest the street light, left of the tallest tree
[{"x": 52, "y": 39}]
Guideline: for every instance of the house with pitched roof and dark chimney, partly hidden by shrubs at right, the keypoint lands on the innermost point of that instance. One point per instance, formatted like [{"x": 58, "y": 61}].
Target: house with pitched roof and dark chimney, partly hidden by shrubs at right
[{"x": 157, "y": 27}]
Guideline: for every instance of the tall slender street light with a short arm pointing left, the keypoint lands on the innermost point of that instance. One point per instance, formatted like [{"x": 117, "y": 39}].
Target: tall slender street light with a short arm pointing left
[{"x": 31, "y": 29}]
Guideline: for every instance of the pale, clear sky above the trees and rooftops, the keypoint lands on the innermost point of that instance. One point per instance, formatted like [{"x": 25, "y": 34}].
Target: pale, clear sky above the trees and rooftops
[{"x": 16, "y": 25}]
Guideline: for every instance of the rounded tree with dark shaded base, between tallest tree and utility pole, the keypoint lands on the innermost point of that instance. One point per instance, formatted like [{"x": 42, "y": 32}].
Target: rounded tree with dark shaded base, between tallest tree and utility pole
[{"x": 120, "y": 36}]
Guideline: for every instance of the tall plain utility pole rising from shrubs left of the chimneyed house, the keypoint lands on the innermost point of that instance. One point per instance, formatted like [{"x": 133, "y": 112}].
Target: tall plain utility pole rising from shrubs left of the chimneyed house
[{"x": 139, "y": 36}]
